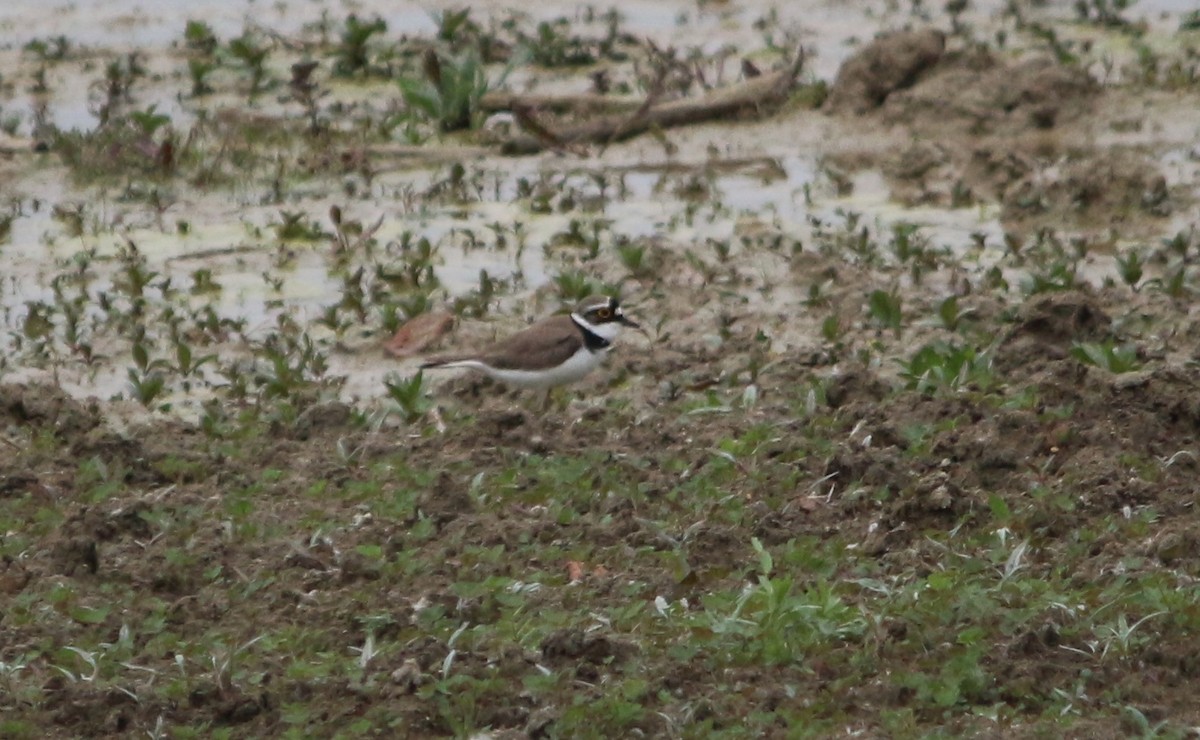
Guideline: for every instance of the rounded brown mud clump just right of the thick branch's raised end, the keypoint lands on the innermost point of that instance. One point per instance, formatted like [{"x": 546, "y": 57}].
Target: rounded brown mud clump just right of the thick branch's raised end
[{"x": 886, "y": 65}]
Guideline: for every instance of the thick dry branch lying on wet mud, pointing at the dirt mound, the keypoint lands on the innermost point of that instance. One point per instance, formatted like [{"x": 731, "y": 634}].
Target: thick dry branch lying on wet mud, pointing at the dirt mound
[{"x": 751, "y": 95}]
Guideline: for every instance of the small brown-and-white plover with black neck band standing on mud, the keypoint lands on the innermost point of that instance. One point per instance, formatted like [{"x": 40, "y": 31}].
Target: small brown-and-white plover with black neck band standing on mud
[{"x": 556, "y": 351}]
